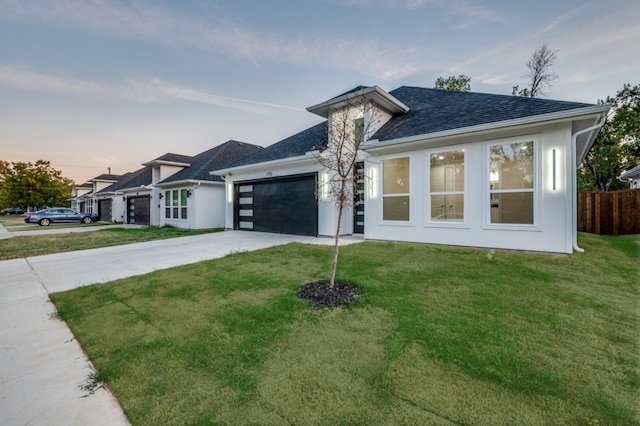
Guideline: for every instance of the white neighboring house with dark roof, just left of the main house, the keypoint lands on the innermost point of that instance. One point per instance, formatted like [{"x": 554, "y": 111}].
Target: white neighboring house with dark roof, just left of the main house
[{"x": 172, "y": 189}]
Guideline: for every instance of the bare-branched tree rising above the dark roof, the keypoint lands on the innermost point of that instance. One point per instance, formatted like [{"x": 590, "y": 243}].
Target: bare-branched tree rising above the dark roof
[{"x": 539, "y": 73}]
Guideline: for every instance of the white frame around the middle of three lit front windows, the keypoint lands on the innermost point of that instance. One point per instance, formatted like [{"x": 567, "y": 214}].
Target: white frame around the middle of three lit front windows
[{"x": 429, "y": 222}]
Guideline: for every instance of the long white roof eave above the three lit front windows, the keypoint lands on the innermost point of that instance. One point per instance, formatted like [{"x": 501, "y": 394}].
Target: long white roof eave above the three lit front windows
[{"x": 373, "y": 145}]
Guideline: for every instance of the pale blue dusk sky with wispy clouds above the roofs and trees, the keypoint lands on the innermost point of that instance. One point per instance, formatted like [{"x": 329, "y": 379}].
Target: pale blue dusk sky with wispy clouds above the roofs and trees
[{"x": 91, "y": 85}]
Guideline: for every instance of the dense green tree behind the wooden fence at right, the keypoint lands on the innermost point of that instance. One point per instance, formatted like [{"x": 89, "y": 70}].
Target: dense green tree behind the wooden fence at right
[{"x": 617, "y": 147}]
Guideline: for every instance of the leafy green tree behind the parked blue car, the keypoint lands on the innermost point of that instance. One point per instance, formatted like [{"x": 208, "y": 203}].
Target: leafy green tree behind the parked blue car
[{"x": 34, "y": 185}]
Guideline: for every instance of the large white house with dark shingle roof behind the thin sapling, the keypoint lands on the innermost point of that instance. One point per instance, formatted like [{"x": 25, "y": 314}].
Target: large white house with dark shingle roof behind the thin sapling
[{"x": 443, "y": 167}]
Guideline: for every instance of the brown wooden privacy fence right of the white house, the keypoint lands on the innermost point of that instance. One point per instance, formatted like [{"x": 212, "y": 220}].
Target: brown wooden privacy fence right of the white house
[{"x": 612, "y": 213}]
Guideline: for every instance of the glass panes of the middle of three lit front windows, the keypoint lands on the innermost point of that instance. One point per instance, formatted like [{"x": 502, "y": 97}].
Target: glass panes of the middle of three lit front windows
[{"x": 446, "y": 186}]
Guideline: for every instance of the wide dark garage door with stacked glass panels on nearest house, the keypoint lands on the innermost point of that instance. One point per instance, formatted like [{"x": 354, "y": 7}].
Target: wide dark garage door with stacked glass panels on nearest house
[{"x": 283, "y": 206}]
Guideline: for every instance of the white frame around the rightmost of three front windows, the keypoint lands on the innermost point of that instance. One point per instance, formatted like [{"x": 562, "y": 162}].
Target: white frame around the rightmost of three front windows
[{"x": 536, "y": 190}]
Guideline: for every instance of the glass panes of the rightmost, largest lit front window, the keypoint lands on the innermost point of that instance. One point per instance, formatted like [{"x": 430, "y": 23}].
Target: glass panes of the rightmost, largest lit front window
[{"x": 512, "y": 183}]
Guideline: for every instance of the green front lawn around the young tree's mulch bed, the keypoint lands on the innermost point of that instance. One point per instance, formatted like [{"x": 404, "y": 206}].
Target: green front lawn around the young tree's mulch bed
[{"x": 440, "y": 335}]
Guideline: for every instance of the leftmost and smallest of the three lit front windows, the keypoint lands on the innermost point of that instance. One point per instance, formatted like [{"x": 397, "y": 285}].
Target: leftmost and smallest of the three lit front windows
[{"x": 395, "y": 189}]
